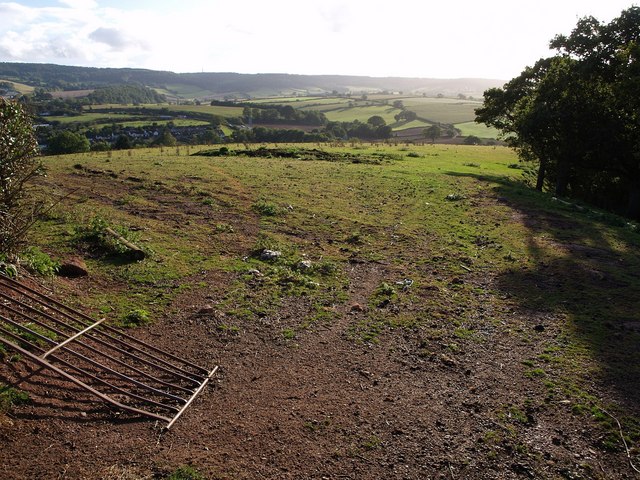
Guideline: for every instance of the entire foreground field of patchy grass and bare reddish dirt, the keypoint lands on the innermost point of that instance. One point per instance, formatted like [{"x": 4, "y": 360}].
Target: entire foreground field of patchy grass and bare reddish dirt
[{"x": 429, "y": 316}]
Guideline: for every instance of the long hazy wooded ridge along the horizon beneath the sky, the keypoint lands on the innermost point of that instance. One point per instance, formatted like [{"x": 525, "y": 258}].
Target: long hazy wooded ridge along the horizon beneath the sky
[{"x": 221, "y": 85}]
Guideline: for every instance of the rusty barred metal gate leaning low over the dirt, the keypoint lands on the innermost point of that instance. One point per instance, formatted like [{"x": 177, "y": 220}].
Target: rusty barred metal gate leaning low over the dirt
[{"x": 116, "y": 367}]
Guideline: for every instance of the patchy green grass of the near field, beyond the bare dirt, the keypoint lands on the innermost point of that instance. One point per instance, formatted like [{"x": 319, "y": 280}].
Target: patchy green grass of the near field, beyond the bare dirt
[{"x": 475, "y": 262}]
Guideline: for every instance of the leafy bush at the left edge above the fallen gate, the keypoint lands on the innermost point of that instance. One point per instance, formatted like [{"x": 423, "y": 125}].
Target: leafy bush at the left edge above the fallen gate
[{"x": 18, "y": 165}]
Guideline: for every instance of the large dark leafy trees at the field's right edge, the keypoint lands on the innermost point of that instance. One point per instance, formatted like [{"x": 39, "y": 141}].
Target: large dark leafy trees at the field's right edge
[{"x": 576, "y": 115}]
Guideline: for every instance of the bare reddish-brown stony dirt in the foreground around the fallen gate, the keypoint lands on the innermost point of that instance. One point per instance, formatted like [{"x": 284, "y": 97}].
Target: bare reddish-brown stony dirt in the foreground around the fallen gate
[{"x": 322, "y": 407}]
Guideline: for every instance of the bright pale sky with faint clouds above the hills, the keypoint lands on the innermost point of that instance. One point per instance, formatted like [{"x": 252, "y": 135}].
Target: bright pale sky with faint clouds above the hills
[{"x": 402, "y": 38}]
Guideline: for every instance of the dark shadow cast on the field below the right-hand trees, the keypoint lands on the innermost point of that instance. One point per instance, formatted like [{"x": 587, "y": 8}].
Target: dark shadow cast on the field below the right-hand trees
[{"x": 583, "y": 267}]
